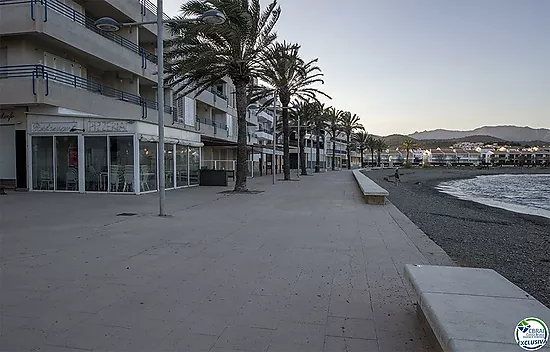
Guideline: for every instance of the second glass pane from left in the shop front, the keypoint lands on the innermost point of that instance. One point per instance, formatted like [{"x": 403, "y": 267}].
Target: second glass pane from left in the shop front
[{"x": 66, "y": 148}]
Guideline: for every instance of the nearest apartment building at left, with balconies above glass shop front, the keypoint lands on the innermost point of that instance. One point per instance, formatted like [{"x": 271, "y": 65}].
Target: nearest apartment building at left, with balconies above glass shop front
[{"x": 78, "y": 105}]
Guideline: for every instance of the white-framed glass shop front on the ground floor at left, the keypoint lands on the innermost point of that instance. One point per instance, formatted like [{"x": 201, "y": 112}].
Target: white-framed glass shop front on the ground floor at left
[{"x": 73, "y": 154}]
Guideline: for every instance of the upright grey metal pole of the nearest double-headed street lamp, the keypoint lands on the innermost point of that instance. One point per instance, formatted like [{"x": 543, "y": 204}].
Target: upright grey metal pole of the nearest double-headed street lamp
[{"x": 160, "y": 104}]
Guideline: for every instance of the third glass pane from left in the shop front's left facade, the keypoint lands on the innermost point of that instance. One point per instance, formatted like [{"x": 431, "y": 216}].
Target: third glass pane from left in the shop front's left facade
[{"x": 95, "y": 160}]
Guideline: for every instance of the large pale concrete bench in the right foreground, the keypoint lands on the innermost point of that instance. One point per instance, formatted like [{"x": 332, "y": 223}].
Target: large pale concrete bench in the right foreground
[{"x": 469, "y": 309}]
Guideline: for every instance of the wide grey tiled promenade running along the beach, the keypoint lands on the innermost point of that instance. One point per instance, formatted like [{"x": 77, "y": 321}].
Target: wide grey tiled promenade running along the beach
[{"x": 304, "y": 266}]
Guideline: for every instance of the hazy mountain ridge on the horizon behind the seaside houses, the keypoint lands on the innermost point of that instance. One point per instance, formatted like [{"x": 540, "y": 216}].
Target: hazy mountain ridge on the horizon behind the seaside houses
[{"x": 506, "y": 133}]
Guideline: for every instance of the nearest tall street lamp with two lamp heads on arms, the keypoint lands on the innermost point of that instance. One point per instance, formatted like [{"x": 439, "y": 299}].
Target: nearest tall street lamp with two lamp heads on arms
[{"x": 107, "y": 24}]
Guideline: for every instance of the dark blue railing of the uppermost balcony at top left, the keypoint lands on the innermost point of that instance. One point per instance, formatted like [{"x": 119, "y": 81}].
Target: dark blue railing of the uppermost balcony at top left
[{"x": 88, "y": 22}]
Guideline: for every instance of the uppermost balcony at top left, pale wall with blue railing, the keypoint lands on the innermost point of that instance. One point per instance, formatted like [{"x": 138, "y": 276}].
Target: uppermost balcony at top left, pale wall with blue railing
[{"x": 74, "y": 30}]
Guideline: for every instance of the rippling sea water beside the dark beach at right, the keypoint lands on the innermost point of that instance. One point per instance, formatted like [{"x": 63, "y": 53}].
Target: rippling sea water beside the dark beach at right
[{"x": 528, "y": 194}]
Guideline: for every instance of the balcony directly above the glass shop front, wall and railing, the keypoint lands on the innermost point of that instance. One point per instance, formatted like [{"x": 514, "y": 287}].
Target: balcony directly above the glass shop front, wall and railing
[{"x": 39, "y": 84}]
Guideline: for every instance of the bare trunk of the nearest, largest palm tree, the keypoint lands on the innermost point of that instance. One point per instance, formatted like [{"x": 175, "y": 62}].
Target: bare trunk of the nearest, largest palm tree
[{"x": 242, "y": 153}]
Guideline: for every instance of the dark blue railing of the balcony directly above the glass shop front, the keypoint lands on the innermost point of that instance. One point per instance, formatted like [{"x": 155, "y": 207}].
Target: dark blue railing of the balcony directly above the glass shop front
[{"x": 50, "y": 74}]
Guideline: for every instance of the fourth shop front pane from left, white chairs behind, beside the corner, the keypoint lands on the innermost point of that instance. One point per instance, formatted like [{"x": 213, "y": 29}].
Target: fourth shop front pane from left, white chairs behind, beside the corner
[{"x": 121, "y": 172}]
